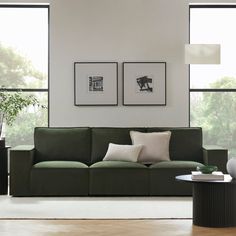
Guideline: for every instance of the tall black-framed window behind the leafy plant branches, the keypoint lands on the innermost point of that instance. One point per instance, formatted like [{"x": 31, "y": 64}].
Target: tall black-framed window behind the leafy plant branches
[{"x": 24, "y": 65}]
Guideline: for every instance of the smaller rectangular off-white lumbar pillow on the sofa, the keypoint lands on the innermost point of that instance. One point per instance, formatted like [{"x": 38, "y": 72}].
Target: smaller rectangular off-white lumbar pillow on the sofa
[{"x": 118, "y": 152}]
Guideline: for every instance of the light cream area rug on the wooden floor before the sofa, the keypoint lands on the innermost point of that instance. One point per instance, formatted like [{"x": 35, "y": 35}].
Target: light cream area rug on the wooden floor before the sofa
[{"x": 95, "y": 208}]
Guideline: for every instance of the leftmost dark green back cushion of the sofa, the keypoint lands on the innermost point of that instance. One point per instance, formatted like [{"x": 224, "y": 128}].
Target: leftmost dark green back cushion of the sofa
[{"x": 73, "y": 144}]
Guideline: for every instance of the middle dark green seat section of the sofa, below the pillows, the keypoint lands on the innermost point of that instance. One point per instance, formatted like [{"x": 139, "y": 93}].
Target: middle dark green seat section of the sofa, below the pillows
[{"x": 109, "y": 178}]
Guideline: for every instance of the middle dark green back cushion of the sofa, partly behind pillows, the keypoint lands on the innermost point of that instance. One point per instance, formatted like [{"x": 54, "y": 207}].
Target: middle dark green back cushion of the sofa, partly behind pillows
[{"x": 101, "y": 137}]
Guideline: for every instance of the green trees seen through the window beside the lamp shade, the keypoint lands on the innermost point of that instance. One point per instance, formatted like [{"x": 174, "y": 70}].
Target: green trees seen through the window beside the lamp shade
[{"x": 215, "y": 112}]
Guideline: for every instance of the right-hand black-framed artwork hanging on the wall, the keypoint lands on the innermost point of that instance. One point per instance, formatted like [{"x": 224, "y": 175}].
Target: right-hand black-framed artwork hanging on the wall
[{"x": 144, "y": 83}]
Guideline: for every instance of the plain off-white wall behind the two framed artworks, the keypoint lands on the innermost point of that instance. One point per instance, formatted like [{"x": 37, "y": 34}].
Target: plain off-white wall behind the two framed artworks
[{"x": 118, "y": 30}]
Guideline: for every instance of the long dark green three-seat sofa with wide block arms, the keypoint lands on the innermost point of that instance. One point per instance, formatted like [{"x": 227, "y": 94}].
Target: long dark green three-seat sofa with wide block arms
[{"x": 68, "y": 162}]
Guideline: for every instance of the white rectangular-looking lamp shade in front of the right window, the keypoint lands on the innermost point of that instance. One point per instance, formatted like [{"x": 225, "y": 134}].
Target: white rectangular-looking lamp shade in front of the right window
[{"x": 202, "y": 53}]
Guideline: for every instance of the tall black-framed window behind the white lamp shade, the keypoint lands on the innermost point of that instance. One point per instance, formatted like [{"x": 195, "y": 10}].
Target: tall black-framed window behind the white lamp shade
[{"x": 213, "y": 87}]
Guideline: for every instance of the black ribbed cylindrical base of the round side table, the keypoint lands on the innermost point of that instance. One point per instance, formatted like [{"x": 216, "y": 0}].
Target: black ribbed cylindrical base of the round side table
[{"x": 214, "y": 204}]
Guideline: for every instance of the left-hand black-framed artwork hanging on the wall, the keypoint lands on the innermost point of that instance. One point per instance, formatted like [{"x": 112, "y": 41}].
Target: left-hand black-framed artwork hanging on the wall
[{"x": 96, "y": 83}]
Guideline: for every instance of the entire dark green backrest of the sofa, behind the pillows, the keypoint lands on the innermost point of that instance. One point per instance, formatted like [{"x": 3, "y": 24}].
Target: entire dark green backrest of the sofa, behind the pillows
[{"x": 89, "y": 145}]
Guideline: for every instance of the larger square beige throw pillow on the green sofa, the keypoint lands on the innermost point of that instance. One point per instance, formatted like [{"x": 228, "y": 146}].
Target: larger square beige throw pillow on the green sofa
[{"x": 155, "y": 146}]
